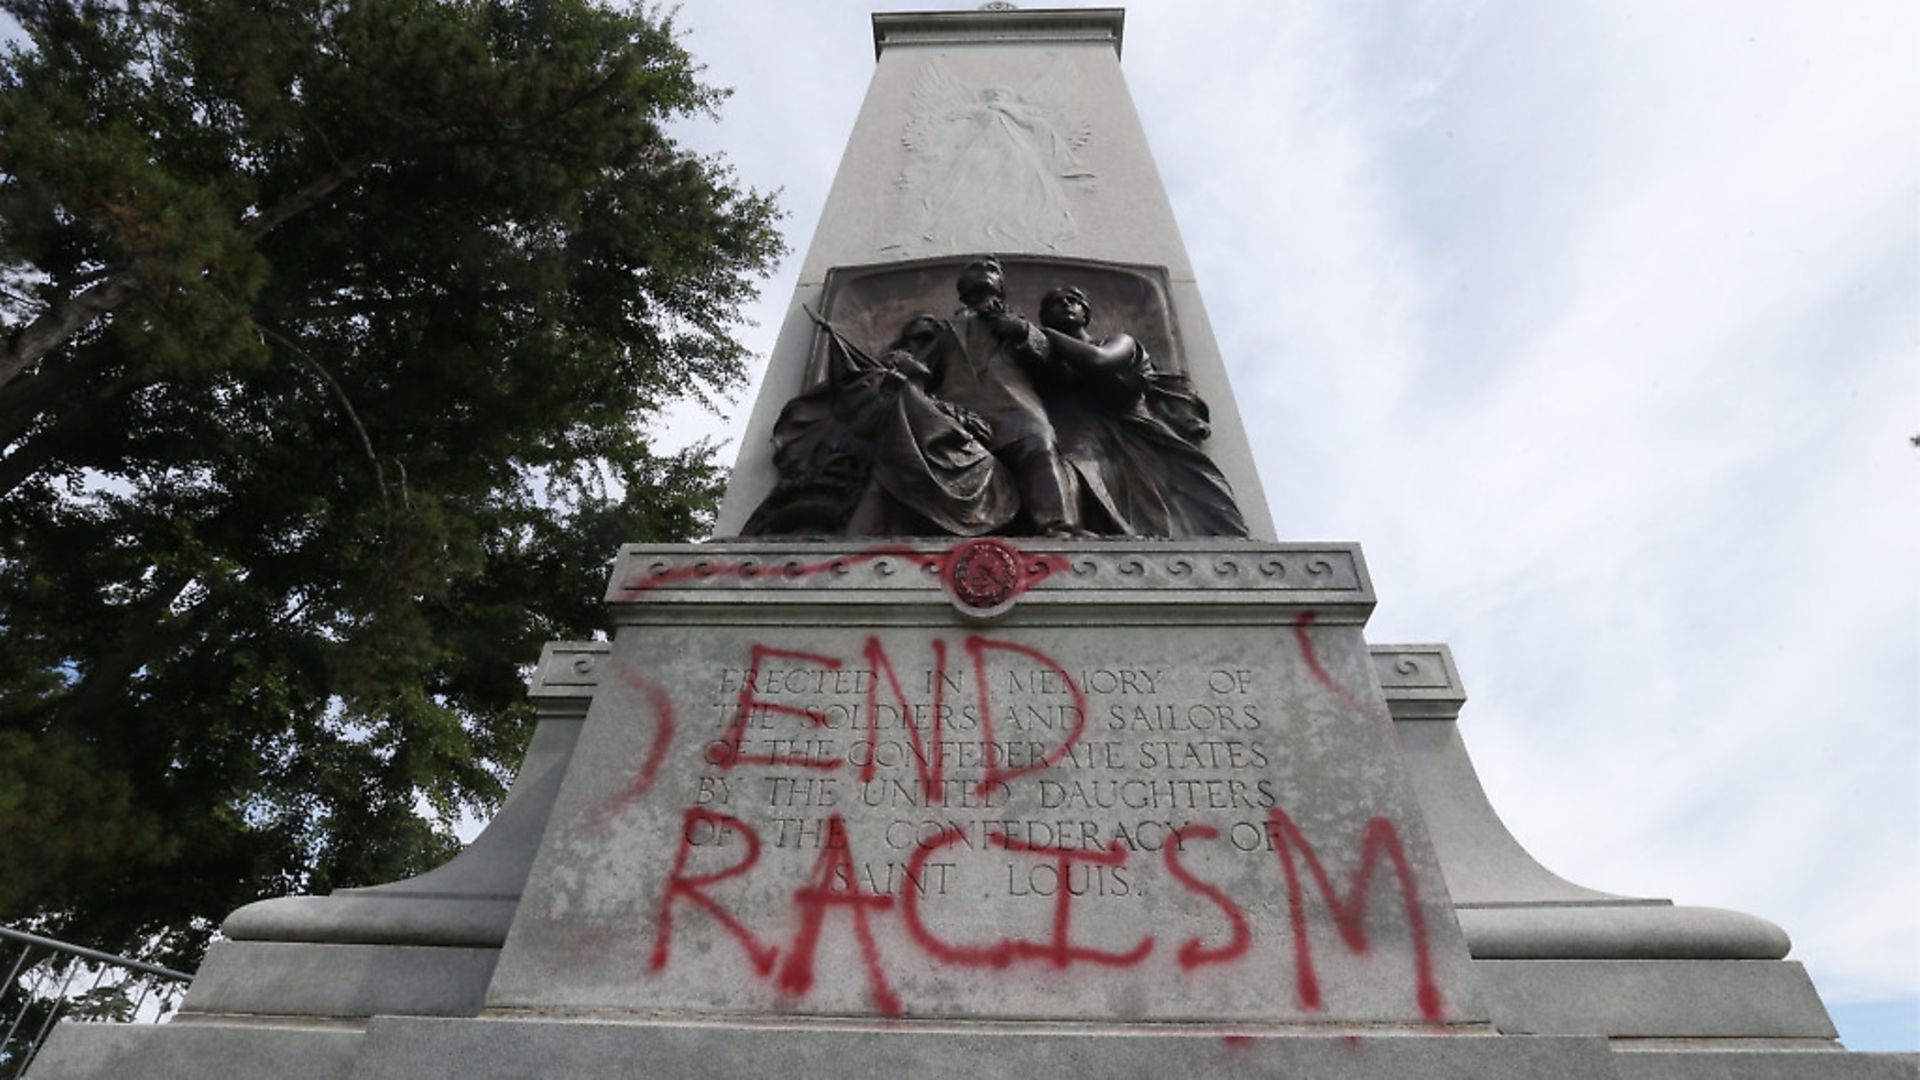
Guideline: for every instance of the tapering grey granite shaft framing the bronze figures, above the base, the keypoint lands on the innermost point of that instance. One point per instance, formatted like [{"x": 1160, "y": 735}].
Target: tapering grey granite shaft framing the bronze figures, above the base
[{"x": 1005, "y": 134}]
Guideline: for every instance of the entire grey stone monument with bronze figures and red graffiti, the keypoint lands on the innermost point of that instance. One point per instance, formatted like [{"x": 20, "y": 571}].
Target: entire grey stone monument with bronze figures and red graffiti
[{"x": 997, "y": 733}]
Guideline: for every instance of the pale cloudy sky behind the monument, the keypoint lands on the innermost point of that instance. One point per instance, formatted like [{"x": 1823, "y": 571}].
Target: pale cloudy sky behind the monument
[{"x": 1598, "y": 326}]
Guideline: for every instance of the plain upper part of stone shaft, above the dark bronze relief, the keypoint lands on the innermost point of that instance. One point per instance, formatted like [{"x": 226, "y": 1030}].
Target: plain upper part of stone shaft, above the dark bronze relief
[{"x": 1076, "y": 178}]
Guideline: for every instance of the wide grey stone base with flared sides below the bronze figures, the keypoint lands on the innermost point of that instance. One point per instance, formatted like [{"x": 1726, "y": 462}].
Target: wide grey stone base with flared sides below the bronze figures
[{"x": 540, "y": 950}]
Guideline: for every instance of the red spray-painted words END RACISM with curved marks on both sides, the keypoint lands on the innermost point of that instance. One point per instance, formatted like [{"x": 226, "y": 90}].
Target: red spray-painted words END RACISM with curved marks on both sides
[{"x": 834, "y": 881}]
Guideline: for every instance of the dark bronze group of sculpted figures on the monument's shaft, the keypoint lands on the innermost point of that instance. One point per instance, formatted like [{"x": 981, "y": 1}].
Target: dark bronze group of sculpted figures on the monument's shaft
[{"x": 986, "y": 424}]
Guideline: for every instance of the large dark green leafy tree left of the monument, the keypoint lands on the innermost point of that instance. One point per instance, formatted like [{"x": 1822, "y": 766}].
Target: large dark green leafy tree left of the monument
[{"x": 333, "y": 330}]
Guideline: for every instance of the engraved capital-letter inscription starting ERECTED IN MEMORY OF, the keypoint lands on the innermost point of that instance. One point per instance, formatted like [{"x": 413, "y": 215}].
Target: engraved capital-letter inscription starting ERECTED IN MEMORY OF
[{"x": 1118, "y": 758}]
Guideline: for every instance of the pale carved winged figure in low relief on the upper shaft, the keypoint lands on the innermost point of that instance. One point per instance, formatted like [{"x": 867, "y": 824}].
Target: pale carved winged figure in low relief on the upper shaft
[{"x": 992, "y": 168}]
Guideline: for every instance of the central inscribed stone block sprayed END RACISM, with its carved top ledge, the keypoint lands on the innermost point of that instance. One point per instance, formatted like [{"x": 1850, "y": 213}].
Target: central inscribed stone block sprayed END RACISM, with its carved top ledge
[{"x": 1130, "y": 693}]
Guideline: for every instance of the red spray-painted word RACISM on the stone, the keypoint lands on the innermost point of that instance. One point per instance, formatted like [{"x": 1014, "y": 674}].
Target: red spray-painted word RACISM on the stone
[{"x": 842, "y": 887}]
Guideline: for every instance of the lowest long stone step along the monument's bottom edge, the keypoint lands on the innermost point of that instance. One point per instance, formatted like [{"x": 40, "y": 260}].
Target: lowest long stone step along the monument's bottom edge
[{"x": 514, "y": 1048}]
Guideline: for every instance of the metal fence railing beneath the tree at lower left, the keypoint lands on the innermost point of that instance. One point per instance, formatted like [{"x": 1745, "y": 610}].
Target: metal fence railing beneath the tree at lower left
[{"x": 41, "y": 991}]
